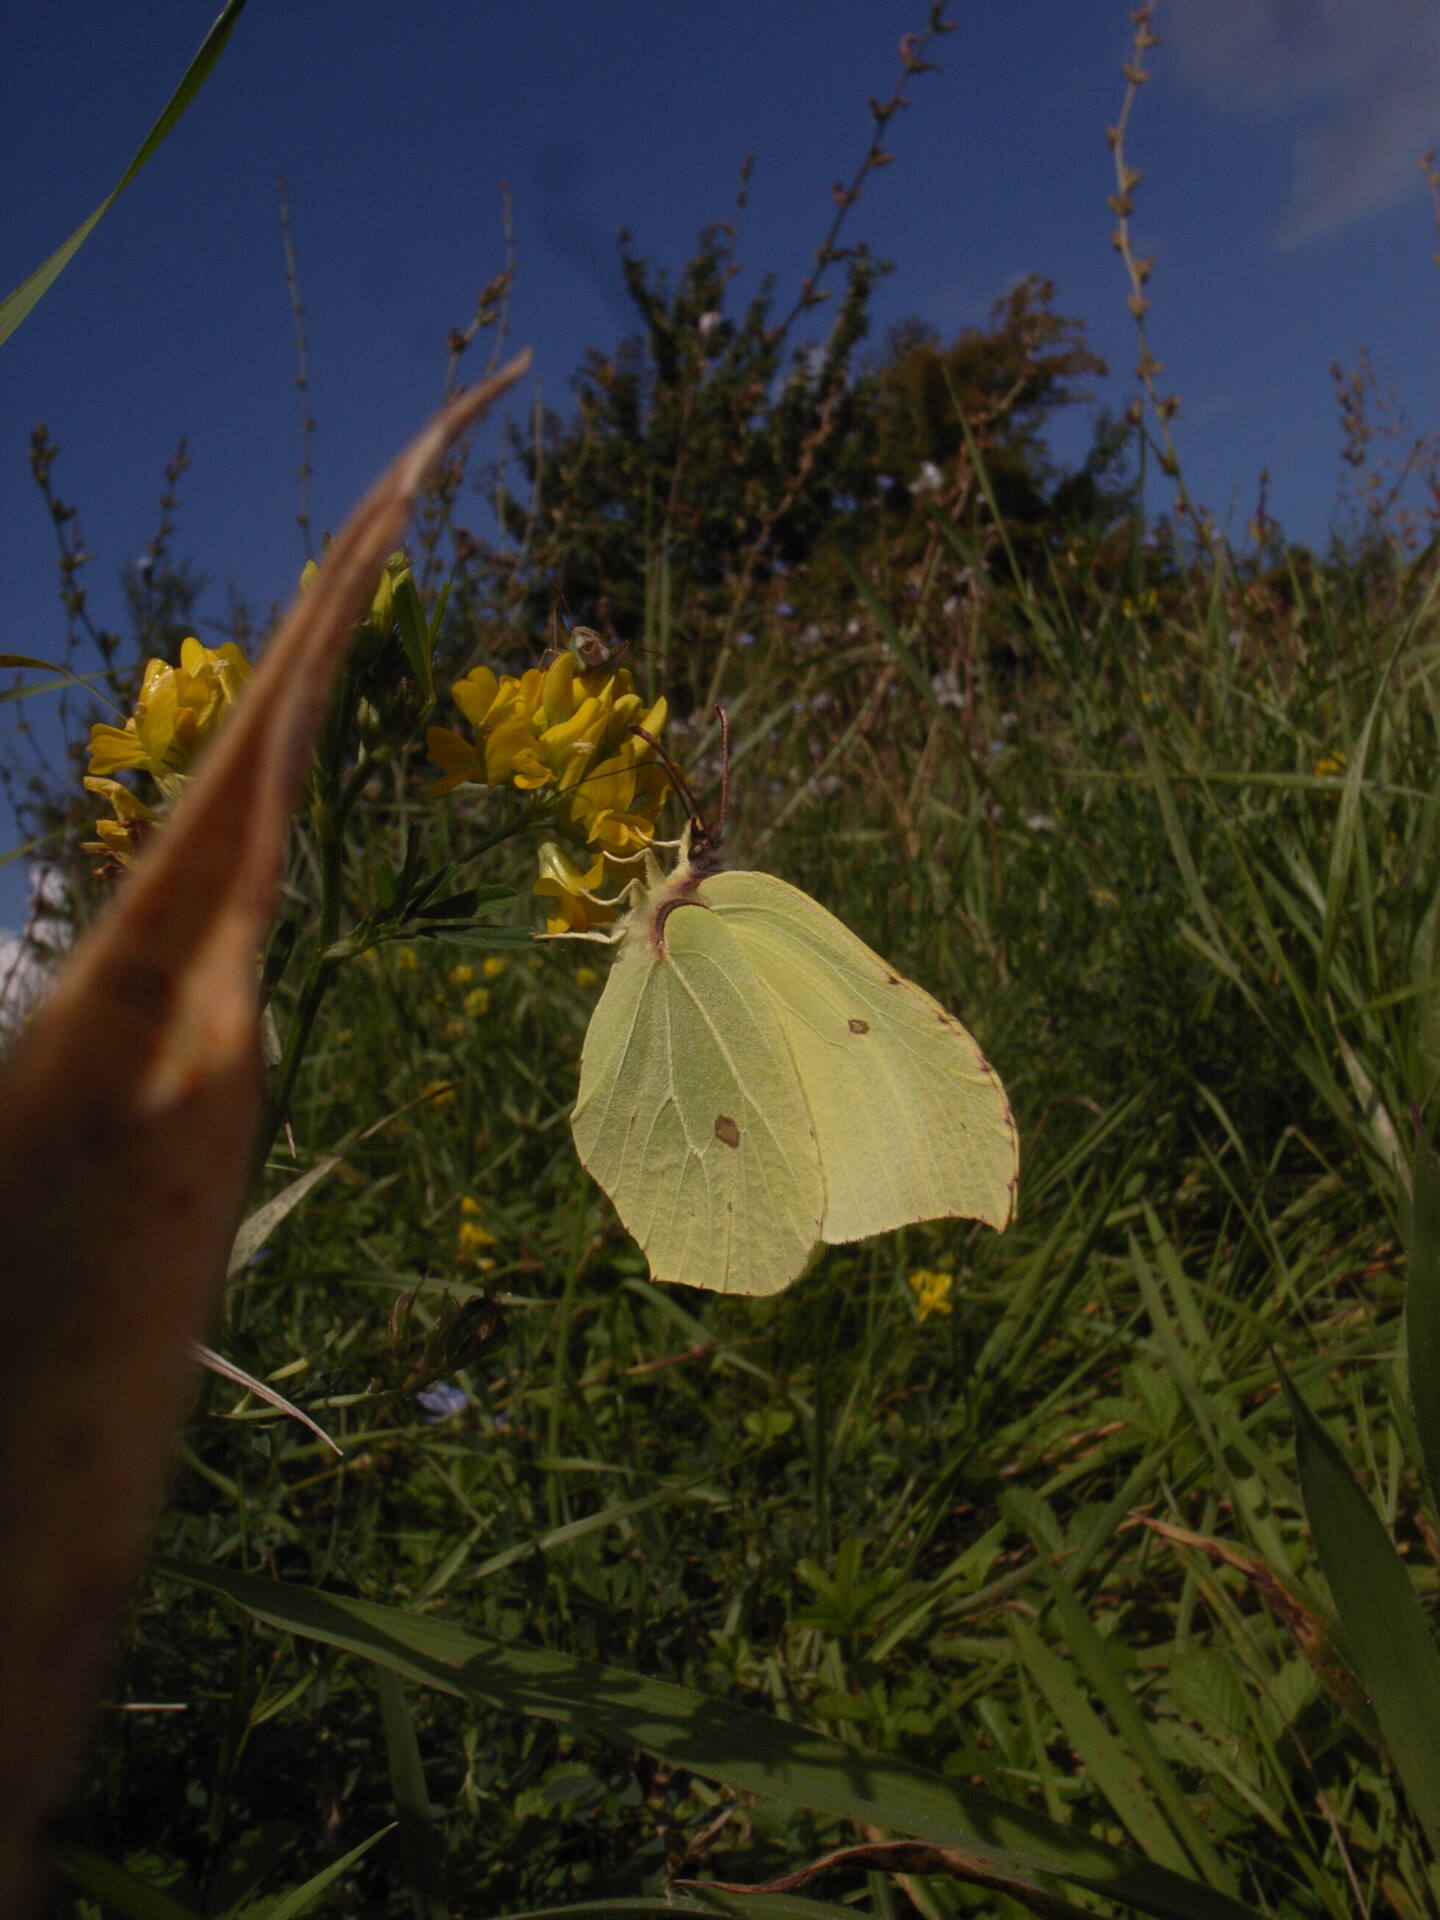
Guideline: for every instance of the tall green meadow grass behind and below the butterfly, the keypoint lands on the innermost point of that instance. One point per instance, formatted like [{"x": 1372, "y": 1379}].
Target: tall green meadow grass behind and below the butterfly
[{"x": 1174, "y": 863}]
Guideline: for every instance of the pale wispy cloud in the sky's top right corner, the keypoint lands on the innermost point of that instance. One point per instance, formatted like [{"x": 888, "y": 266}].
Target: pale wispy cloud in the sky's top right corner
[{"x": 1372, "y": 66}]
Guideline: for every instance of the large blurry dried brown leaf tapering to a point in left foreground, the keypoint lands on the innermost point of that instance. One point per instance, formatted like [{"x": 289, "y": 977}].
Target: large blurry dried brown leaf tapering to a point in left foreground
[{"x": 128, "y": 1126}]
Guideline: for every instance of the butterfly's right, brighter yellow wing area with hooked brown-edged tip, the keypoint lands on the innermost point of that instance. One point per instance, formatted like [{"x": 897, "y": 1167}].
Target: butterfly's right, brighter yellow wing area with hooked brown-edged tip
[{"x": 911, "y": 1120}]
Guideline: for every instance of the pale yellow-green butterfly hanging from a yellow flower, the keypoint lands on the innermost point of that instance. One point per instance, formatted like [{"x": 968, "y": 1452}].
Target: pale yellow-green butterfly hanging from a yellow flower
[{"x": 757, "y": 1082}]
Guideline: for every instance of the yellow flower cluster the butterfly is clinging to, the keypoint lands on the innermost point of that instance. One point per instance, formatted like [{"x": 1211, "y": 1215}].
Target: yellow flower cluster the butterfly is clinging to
[{"x": 569, "y": 734}]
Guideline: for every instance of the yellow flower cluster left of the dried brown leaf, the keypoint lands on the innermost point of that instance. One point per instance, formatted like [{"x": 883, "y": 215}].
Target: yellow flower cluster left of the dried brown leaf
[{"x": 178, "y": 711}]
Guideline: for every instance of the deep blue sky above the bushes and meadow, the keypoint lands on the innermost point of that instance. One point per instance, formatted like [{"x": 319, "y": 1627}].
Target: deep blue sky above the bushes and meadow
[{"x": 1282, "y": 201}]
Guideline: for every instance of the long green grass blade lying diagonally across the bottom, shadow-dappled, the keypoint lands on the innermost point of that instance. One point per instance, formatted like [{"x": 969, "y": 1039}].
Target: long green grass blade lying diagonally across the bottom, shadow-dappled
[{"x": 748, "y": 1750}]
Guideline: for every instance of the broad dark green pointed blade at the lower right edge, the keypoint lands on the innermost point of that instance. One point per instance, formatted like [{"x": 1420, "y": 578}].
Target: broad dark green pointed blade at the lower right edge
[{"x": 1385, "y": 1631}]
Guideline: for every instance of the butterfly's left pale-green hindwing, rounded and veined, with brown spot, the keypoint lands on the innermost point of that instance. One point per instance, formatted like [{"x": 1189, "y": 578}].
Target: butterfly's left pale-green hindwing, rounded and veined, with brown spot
[{"x": 692, "y": 1116}]
